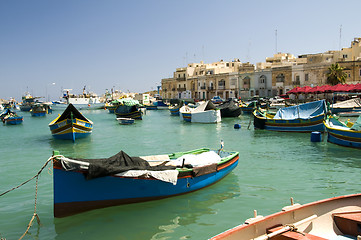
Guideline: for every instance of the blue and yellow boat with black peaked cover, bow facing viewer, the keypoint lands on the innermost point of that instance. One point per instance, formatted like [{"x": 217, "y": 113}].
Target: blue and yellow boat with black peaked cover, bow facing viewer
[{"x": 71, "y": 125}]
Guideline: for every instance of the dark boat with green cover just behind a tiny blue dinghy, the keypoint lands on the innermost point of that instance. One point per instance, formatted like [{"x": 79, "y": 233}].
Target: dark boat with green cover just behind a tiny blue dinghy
[{"x": 128, "y": 108}]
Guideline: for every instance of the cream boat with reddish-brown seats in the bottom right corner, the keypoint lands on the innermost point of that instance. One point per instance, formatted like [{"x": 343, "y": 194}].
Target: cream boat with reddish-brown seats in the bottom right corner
[{"x": 332, "y": 218}]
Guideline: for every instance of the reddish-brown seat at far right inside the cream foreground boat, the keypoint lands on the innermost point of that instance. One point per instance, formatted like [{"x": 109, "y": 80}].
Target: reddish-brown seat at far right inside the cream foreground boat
[{"x": 348, "y": 223}]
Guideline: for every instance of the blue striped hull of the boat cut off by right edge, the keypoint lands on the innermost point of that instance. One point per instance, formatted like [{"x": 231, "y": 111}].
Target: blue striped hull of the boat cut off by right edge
[{"x": 343, "y": 137}]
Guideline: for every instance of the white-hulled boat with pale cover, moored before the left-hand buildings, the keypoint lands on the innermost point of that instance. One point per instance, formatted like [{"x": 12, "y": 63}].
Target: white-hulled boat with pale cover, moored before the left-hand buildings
[{"x": 204, "y": 113}]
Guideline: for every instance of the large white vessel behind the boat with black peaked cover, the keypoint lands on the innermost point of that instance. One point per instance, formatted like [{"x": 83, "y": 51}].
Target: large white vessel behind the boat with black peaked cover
[{"x": 89, "y": 101}]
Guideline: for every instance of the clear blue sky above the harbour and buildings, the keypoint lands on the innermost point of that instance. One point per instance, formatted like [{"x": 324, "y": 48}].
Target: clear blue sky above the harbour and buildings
[{"x": 132, "y": 45}]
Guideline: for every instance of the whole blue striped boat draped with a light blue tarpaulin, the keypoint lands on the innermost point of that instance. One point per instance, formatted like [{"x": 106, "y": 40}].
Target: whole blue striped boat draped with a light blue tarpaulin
[{"x": 306, "y": 117}]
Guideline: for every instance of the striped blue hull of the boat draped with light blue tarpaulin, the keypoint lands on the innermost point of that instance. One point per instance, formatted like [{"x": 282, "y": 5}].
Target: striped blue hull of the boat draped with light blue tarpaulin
[{"x": 295, "y": 125}]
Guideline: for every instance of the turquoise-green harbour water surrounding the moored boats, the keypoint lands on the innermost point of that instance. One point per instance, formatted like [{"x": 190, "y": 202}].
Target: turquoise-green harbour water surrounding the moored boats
[{"x": 272, "y": 168}]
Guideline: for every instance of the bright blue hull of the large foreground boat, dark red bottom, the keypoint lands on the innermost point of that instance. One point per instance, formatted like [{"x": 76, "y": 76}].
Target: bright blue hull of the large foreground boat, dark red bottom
[{"x": 74, "y": 194}]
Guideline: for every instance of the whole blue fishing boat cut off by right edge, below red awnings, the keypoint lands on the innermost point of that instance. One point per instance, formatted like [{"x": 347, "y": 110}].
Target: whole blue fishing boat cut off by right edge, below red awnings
[{"x": 344, "y": 134}]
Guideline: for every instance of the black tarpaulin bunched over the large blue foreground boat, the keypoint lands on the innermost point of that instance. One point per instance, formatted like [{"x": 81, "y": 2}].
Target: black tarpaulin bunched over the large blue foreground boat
[{"x": 118, "y": 163}]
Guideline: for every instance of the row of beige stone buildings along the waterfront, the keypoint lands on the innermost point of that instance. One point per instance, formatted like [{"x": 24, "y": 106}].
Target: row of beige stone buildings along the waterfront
[{"x": 276, "y": 76}]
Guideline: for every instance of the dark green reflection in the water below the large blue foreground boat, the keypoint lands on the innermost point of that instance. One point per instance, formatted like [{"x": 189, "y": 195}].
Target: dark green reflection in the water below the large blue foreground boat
[{"x": 151, "y": 220}]
